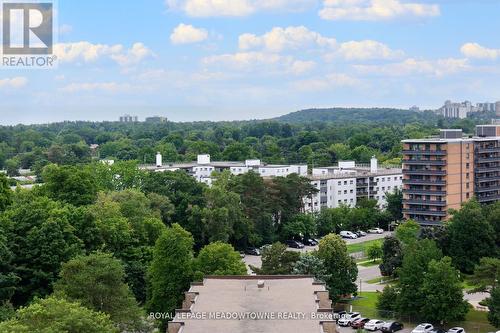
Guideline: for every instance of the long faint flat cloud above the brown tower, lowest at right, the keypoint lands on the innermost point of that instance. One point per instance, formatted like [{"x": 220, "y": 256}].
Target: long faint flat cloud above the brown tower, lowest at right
[{"x": 411, "y": 66}]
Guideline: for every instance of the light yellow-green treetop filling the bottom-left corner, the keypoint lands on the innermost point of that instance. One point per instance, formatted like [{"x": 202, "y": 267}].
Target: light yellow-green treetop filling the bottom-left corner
[{"x": 57, "y": 316}]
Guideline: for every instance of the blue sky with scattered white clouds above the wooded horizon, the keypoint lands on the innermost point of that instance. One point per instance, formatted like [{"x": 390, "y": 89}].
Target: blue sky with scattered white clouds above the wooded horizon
[{"x": 252, "y": 59}]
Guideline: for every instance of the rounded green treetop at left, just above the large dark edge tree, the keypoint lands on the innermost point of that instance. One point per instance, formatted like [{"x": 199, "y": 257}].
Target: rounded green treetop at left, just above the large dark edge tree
[{"x": 69, "y": 184}]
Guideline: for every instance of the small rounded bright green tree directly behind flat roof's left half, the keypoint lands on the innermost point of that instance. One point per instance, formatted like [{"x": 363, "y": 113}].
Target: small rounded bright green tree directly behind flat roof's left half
[{"x": 219, "y": 259}]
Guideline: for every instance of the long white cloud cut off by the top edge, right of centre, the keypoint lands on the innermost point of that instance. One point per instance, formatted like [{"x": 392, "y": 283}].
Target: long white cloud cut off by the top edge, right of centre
[{"x": 375, "y": 10}]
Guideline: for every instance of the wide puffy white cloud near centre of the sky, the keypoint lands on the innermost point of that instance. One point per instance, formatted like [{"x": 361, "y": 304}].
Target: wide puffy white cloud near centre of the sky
[{"x": 279, "y": 39}]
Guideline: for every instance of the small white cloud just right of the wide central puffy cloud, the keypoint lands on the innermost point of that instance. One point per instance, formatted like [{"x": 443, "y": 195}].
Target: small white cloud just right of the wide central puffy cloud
[{"x": 367, "y": 49}]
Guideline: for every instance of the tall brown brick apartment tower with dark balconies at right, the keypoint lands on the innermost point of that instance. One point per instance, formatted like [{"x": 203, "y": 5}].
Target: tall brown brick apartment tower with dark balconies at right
[{"x": 443, "y": 172}]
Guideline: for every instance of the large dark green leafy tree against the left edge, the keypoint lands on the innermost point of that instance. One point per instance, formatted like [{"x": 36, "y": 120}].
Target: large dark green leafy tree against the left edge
[{"x": 40, "y": 237}]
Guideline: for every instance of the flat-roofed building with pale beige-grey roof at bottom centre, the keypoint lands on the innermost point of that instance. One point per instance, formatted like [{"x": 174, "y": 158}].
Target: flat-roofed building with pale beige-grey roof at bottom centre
[{"x": 265, "y": 304}]
